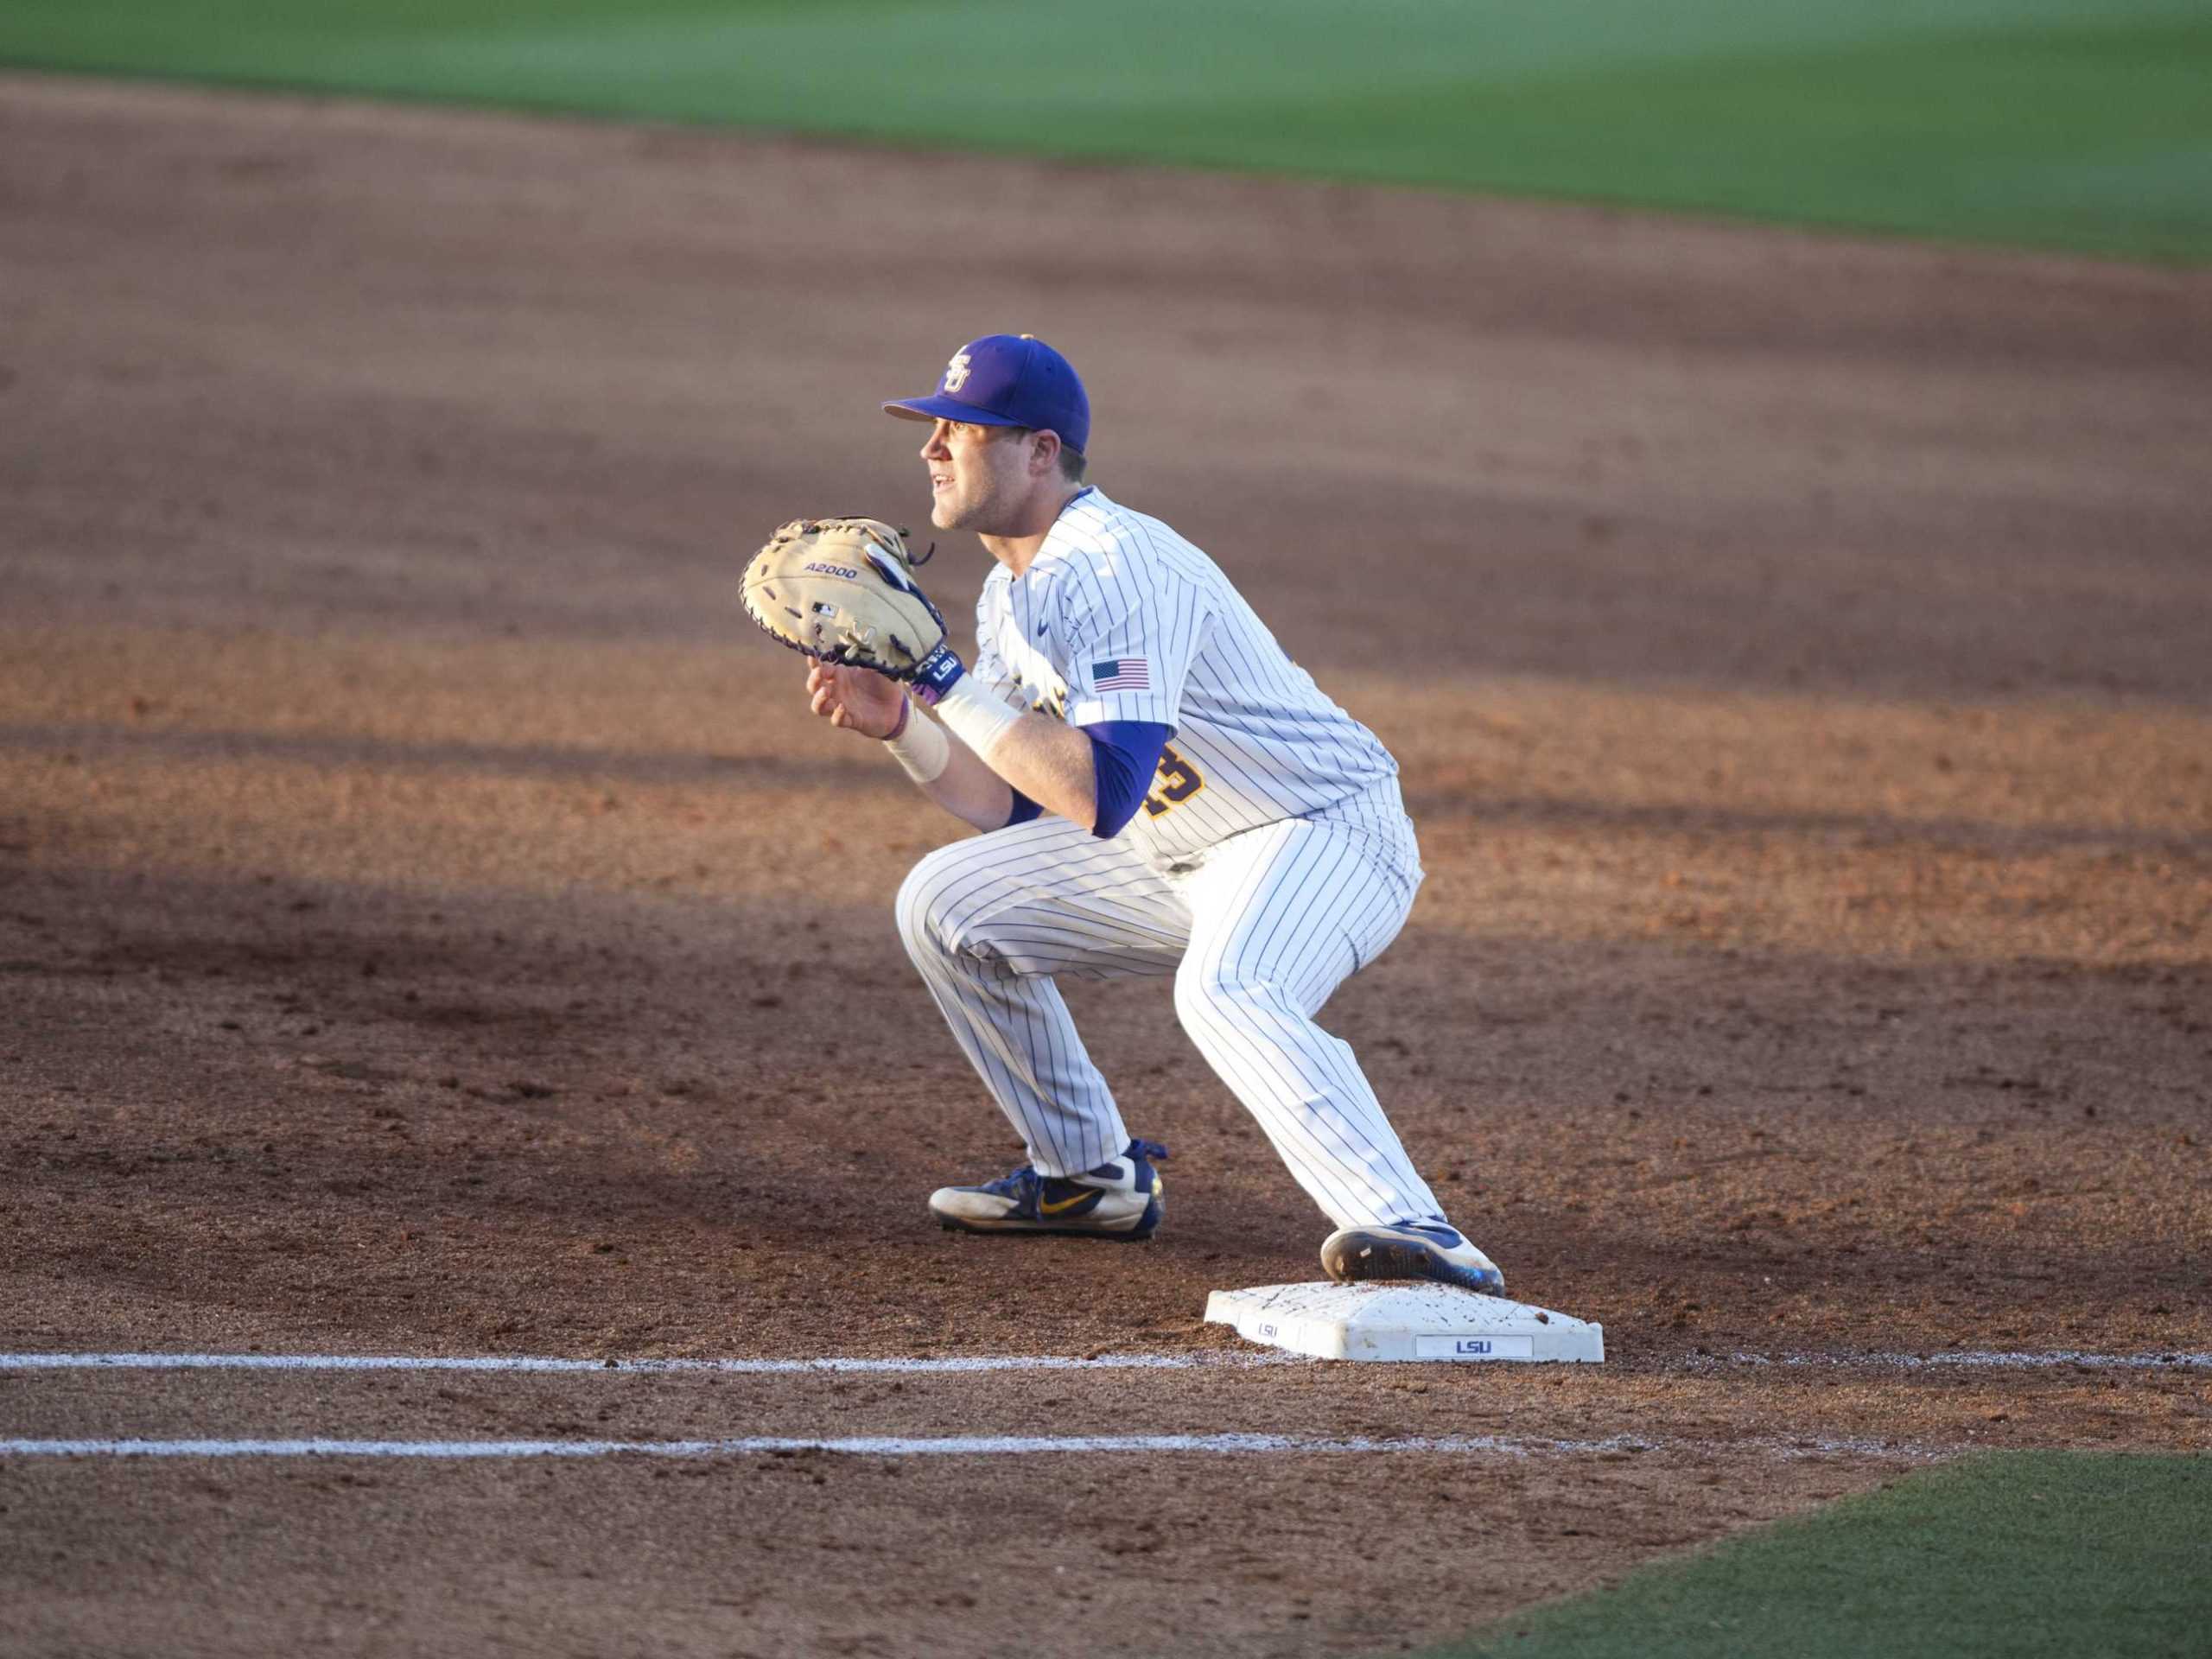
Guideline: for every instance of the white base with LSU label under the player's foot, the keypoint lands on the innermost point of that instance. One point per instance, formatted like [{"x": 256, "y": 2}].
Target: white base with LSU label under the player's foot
[{"x": 1404, "y": 1322}]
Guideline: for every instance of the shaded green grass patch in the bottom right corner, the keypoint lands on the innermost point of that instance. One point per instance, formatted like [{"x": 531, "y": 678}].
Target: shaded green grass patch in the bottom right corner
[{"x": 2014, "y": 1554}]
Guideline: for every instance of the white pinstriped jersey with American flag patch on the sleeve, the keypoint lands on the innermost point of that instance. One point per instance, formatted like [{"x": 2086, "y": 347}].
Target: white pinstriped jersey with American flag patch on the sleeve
[{"x": 1125, "y": 620}]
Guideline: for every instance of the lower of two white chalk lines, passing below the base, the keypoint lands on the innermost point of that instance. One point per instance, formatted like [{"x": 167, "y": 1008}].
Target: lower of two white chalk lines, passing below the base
[{"x": 906, "y": 1448}]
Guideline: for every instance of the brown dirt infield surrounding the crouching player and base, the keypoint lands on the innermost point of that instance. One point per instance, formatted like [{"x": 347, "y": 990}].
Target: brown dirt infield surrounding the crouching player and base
[{"x": 432, "y": 926}]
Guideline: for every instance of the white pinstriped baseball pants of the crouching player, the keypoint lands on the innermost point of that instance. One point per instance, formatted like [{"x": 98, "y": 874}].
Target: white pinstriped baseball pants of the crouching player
[{"x": 1258, "y": 937}]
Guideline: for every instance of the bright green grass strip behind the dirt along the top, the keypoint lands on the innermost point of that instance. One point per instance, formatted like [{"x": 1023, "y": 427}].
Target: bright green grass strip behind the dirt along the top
[{"x": 2038, "y": 123}]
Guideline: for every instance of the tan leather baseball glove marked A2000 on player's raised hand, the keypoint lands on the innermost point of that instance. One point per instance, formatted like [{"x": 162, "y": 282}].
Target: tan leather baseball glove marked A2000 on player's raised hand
[{"x": 842, "y": 589}]
